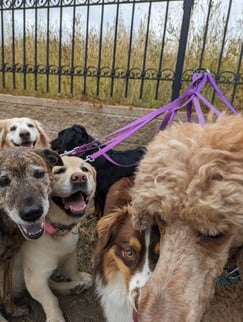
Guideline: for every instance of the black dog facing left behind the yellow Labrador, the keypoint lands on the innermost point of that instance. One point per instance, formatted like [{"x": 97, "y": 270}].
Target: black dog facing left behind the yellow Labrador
[{"x": 107, "y": 172}]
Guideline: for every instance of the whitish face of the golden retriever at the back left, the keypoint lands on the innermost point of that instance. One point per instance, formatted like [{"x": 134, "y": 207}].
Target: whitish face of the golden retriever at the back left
[{"x": 22, "y": 132}]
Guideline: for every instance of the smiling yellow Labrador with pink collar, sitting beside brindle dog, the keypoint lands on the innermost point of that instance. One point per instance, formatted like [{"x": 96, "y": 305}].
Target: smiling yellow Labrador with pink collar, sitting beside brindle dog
[{"x": 73, "y": 191}]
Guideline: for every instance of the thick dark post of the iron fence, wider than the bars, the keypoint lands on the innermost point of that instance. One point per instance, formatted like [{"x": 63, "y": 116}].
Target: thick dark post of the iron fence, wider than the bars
[{"x": 176, "y": 85}]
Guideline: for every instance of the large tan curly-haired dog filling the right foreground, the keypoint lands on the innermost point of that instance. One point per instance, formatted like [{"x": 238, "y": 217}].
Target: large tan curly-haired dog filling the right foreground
[{"x": 190, "y": 183}]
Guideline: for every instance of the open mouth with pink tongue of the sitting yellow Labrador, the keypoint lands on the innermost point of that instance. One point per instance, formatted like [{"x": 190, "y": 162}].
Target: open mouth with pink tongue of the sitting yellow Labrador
[{"x": 76, "y": 204}]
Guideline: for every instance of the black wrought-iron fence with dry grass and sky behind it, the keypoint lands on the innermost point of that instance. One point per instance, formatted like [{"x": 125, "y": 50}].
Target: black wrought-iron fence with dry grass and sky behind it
[{"x": 133, "y": 51}]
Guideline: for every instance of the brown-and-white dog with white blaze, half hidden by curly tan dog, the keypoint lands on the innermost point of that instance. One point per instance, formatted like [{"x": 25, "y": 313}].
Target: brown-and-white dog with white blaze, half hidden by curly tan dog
[{"x": 124, "y": 258}]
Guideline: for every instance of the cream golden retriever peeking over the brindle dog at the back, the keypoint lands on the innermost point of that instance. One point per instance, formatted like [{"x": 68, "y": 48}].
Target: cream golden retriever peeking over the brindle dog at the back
[{"x": 22, "y": 131}]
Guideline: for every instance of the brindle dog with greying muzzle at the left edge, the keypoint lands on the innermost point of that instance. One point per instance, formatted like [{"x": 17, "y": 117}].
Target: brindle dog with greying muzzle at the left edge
[{"x": 25, "y": 181}]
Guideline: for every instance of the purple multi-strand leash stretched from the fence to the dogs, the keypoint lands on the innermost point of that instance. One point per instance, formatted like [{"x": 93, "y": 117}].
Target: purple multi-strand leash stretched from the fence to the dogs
[{"x": 191, "y": 97}]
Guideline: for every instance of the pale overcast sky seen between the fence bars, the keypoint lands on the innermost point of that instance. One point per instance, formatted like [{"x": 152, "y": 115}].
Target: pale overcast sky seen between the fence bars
[{"x": 157, "y": 14}]
